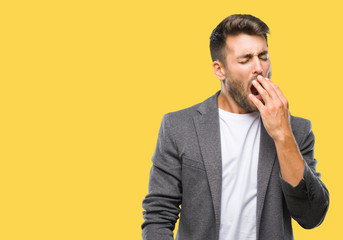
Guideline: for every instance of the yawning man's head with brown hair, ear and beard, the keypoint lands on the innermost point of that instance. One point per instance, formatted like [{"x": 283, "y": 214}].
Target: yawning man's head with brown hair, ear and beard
[{"x": 239, "y": 51}]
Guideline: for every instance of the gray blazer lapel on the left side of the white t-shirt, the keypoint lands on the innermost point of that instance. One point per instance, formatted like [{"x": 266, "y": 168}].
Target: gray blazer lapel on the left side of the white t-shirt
[{"x": 208, "y": 132}]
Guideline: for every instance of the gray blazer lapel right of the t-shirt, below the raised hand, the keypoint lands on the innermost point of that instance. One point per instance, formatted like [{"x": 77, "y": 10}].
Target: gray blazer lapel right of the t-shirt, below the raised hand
[{"x": 266, "y": 162}]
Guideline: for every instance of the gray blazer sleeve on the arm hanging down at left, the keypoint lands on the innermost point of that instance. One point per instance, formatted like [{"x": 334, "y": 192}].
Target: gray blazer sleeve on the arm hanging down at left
[{"x": 162, "y": 204}]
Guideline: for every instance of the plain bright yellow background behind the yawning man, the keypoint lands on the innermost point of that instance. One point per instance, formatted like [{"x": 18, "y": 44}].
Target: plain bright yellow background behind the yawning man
[{"x": 84, "y": 86}]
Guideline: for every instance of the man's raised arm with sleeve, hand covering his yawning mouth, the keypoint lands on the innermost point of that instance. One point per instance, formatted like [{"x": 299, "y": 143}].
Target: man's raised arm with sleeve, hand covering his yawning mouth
[{"x": 306, "y": 196}]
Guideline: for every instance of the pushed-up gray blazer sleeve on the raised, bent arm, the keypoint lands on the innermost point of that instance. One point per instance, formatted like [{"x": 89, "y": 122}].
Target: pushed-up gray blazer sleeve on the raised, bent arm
[{"x": 307, "y": 202}]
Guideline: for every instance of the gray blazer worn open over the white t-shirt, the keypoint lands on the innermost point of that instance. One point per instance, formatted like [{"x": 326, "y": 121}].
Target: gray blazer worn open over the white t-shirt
[{"x": 187, "y": 171}]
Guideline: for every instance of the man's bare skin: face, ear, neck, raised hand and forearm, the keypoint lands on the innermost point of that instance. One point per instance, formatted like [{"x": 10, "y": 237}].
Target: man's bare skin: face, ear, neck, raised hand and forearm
[{"x": 247, "y": 64}]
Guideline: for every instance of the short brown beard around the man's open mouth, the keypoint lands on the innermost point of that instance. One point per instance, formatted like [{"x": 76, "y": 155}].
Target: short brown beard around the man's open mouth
[{"x": 239, "y": 94}]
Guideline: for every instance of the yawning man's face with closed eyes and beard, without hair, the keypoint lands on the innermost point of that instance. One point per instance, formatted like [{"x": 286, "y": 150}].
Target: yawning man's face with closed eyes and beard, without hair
[{"x": 246, "y": 57}]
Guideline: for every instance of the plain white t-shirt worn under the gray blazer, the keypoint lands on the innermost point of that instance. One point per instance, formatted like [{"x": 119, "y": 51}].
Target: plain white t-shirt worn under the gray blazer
[{"x": 240, "y": 142}]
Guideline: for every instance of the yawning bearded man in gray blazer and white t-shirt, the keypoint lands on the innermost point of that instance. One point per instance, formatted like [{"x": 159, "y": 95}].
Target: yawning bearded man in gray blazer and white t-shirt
[{"x": 238, "y": 164}]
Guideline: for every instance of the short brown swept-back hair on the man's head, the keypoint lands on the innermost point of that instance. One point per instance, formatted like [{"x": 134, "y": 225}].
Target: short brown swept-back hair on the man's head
[{"x": 232, "y": 26}]
